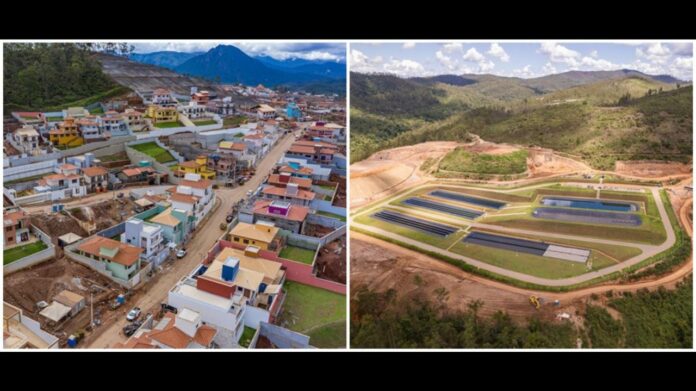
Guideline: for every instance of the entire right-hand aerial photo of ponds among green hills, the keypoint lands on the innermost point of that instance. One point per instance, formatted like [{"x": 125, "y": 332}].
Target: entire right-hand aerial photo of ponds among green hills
[{"x": 521, "y": 195}]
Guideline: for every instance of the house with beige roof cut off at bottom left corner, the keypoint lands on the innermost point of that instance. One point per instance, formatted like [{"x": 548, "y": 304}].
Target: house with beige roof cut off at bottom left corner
[{"x": 22, "y": 332}]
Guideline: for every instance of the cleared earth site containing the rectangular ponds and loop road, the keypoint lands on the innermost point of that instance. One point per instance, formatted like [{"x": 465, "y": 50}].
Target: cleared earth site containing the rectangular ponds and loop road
[{"x": 545, "y": 244}]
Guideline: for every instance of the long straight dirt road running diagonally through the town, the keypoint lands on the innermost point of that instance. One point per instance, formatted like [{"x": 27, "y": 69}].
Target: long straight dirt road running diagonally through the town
[{"x": 155, "y": 292}]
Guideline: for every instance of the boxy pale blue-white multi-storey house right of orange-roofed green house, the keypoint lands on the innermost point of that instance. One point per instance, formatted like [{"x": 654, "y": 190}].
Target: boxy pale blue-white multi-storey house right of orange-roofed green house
[{"x": 149, "y": 238}]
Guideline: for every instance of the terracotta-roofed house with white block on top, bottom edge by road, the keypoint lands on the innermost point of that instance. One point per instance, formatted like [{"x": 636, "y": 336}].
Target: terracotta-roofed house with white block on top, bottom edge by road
[{"x": 184, "y": 330}]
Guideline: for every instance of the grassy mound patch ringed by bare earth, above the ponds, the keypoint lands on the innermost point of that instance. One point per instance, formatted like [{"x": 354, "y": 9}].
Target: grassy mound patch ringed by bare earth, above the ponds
[{"x": 461, "y": 160}]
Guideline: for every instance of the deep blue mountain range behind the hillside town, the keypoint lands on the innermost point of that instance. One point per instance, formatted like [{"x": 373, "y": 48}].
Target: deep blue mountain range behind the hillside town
[{"x": 228, "y": 64}]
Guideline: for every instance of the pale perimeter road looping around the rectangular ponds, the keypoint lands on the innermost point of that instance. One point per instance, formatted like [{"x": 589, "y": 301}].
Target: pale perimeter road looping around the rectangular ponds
[{"x": 648, "y": 250}]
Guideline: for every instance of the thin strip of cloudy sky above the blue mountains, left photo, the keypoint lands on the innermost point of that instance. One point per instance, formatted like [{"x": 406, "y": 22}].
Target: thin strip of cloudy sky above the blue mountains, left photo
[{"x": 280, "y": 50}]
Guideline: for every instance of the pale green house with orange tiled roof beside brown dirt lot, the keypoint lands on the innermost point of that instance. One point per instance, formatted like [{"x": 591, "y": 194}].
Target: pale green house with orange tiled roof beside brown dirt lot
[{"x": 121, "y": 259}]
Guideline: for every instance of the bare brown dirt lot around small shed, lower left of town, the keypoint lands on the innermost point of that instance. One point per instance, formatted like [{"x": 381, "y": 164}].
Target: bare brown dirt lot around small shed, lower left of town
[{"x": 42, "y": 282}]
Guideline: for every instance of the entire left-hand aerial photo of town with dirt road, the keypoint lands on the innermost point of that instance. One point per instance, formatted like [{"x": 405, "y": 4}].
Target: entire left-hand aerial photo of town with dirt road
[{"x": 174, "y": 195}]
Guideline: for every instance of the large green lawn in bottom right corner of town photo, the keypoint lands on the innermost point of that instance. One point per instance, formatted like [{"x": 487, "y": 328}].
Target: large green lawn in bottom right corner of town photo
[{"x": 315, "y": 311}]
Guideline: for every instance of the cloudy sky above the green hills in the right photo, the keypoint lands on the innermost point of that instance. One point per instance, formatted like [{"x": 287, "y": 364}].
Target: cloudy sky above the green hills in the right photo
[{"x": 521, "y": 59}]
